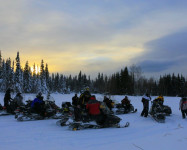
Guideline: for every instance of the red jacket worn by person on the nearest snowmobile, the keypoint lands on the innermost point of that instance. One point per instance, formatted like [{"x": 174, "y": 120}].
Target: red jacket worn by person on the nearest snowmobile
[{"x": 93, "y": 107}]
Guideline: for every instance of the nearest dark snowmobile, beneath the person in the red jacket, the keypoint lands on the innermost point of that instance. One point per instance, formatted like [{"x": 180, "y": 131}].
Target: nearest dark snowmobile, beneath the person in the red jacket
[{"x": 112, "y": 121}]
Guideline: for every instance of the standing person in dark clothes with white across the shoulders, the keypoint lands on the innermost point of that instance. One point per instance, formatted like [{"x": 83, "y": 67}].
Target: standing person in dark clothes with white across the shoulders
[{"x": 145, "y": 100}]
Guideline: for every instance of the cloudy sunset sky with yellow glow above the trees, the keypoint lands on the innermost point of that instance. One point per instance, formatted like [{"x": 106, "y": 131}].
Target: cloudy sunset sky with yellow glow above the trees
[{"x": 96, "y": 35}]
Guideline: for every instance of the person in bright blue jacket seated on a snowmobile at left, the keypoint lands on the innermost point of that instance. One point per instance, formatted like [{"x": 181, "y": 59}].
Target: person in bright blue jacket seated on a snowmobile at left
[{"x": 38, "y": 104}]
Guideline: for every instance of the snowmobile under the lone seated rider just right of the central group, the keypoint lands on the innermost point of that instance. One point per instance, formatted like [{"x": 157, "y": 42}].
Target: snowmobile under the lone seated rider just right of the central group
[{"x": 120, "y": 109}]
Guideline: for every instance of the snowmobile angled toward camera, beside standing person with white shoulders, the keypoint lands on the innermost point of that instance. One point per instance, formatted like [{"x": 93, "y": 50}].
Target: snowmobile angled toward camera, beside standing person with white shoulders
[{"x": 157, "y": 112}]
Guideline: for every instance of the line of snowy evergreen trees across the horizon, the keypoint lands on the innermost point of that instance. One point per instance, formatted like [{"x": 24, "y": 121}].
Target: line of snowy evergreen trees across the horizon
[{"x": 127, "y": 81}]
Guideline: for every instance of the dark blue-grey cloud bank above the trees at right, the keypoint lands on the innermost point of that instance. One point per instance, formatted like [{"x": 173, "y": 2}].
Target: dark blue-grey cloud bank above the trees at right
[{"x": 166, "y": 53}]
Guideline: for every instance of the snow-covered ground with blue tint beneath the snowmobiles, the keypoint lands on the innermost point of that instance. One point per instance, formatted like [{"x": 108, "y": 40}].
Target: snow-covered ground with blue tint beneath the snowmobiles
[{"x": 142, "y": 134}]
